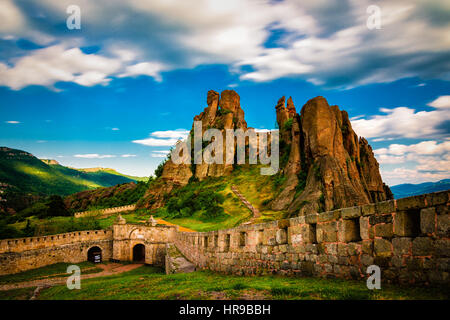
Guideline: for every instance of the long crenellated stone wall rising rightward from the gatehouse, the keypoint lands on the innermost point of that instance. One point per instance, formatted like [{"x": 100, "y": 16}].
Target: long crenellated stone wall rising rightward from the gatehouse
[{"x": 407, "y": 238}]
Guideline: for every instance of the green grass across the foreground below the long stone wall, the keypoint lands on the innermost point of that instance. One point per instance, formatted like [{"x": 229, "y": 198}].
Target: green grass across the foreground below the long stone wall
[{"x": 151, "y": 283}]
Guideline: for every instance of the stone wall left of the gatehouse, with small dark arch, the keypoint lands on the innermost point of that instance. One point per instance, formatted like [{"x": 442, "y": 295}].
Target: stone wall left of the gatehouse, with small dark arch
[{"x": 17, "y": 255}]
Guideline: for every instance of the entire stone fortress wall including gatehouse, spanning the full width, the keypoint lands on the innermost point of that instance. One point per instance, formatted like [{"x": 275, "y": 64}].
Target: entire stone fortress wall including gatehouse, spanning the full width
[{"x": 409, "y": 239}]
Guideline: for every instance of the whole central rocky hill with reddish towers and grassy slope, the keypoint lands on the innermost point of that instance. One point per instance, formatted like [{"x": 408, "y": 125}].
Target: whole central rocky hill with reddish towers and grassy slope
[{"x": 323, "y": 165}]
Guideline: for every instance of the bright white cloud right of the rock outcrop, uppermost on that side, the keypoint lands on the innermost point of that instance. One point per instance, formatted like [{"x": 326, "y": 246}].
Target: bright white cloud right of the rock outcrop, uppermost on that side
[{"x": 403, "y": 122}]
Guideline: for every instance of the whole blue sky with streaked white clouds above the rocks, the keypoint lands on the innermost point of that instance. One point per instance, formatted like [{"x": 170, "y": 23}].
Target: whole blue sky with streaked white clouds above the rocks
[{"x": 121, "y": 89}]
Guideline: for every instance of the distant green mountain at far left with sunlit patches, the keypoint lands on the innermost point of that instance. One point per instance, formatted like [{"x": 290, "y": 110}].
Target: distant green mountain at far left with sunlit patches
[{"x": 22, "y": 176}]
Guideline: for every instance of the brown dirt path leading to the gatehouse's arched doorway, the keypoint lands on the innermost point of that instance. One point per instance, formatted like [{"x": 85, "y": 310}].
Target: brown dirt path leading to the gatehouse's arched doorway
[{"x": 108, "y": 270}]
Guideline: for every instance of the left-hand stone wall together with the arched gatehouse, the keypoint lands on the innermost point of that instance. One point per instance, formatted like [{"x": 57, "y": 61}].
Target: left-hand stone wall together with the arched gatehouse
[{"x": 17, "y": 255}]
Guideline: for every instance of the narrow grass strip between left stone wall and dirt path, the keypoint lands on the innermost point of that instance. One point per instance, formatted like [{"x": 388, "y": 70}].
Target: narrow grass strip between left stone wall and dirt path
[{"x": 51, "y": 271}]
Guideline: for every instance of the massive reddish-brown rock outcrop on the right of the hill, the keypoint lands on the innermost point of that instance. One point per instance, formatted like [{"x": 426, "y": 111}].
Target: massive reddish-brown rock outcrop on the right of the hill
[{"x": 328, "y": 166}]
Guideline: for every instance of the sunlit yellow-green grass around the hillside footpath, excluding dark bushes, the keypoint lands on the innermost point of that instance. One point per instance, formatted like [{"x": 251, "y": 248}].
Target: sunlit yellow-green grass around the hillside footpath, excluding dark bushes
[{"x": 254, "y": 186}]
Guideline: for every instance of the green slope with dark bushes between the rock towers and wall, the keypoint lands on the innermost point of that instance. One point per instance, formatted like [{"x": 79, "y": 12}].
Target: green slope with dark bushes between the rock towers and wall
[{"x": 211, "y": 205}]
